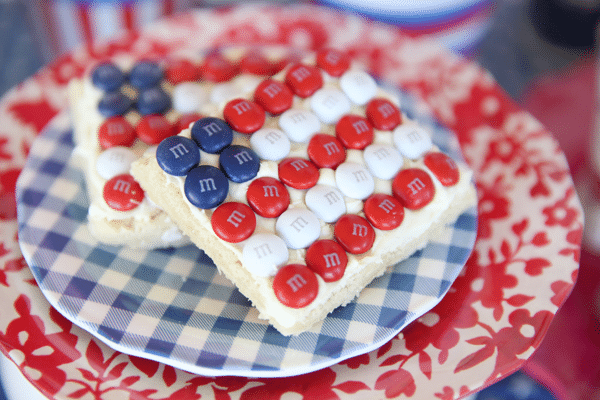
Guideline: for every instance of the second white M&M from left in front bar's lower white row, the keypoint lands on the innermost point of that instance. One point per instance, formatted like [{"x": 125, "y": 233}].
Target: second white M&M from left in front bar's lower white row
[{"x": 299, "y": 227}]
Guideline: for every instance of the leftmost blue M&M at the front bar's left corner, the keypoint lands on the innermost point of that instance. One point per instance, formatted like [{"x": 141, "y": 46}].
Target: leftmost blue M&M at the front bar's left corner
[{"x": 176, "y": 155}]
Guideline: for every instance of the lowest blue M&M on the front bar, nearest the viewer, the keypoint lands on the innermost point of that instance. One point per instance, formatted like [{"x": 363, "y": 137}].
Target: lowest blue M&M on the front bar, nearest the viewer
[{"x": 206, "y": 186}]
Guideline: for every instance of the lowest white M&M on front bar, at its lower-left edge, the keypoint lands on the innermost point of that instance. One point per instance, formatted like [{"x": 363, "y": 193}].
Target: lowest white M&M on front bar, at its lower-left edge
[{"x": 264, "y": 253}]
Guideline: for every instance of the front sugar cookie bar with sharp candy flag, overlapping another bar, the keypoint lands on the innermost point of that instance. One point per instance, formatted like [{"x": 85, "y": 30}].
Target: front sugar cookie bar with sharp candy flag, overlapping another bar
[{"x": 307, "y": 189}]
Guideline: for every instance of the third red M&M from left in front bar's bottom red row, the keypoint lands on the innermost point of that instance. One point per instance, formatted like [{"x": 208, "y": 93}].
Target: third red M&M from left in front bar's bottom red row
[{"x": 354, "y": 233}]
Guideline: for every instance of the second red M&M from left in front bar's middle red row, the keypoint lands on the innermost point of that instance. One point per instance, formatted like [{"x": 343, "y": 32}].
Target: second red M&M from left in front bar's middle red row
[{"x": 268, "y": 197}]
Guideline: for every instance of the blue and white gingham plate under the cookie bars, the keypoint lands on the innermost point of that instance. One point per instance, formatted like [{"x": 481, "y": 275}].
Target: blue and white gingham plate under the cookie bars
[{"x": 172, "y": 306}]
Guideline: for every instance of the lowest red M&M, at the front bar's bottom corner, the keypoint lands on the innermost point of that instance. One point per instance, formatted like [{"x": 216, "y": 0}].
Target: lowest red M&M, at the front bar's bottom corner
[{"x": 295, "y": 285}]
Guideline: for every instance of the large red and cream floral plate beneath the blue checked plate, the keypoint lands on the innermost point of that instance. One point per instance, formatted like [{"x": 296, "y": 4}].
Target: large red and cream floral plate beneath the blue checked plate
[{"x": 523, "y": 266}]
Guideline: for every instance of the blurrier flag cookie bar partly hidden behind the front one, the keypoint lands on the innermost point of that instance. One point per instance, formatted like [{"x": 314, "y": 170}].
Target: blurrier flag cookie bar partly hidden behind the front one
[{"x": 124, "y": 106}]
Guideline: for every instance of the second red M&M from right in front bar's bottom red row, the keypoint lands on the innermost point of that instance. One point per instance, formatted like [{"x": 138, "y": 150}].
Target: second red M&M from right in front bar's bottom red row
[{"x": 413, "y": 187}]
